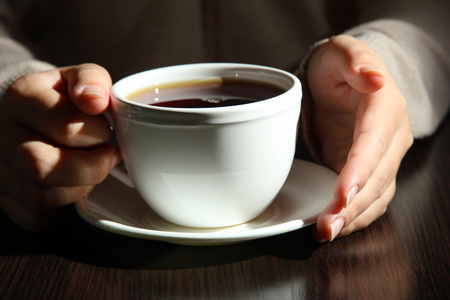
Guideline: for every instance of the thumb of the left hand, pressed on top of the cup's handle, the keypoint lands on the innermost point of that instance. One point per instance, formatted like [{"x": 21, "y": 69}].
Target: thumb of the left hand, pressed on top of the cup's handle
[{"x": 89, "y": 86}]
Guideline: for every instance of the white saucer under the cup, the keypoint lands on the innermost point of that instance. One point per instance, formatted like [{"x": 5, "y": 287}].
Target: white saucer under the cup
[{"x": 115, "y": 207}]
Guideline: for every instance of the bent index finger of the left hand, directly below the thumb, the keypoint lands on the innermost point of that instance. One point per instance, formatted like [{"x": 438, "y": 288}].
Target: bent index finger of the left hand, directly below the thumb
[{"x": 43, "y": 109}]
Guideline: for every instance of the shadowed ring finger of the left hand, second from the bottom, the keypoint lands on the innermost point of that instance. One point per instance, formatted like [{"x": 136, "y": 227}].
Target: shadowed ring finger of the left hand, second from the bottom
[{"x": 35, "y": 197}]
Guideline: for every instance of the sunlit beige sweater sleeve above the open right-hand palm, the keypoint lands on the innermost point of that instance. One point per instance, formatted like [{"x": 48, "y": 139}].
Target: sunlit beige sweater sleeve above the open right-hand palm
[{"x": 418, "y": 59}]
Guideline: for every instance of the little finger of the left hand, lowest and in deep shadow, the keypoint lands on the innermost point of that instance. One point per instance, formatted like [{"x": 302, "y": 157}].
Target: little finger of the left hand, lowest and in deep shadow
[{"x": 28, "y": 219}]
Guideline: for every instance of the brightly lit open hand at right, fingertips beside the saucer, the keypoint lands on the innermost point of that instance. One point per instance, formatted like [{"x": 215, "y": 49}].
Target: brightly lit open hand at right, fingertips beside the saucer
[{"x": 362, "y": 125}]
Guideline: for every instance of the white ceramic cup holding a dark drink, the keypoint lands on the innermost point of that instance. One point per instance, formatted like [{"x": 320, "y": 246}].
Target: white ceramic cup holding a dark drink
[{"x": 208, "y": 167}]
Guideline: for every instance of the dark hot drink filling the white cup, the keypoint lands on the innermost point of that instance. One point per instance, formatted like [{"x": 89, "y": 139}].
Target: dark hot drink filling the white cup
[{"x": 215, "y": 92}]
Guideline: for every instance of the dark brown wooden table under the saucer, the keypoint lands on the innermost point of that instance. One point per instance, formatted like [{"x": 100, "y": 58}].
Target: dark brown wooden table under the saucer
[{"x": 403, "y": 255}]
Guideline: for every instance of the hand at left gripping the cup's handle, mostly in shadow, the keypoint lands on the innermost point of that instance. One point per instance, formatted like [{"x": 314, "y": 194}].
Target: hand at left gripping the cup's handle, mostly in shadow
[{"x": 53, "y": 142}]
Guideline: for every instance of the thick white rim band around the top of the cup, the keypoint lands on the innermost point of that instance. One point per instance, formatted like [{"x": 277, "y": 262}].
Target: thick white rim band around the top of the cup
[{"x": 194, "y": 116}]
